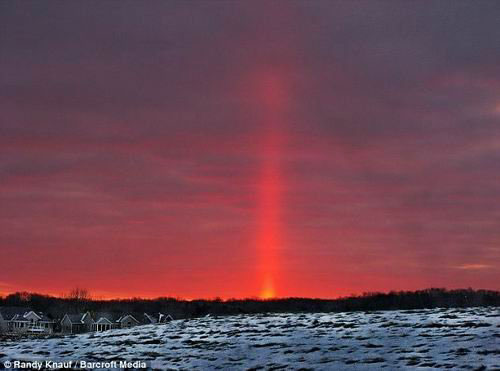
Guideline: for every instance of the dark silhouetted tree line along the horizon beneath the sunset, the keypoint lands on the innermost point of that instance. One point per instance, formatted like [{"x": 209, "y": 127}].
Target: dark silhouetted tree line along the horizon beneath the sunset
[{"x": 80, "y": 300}]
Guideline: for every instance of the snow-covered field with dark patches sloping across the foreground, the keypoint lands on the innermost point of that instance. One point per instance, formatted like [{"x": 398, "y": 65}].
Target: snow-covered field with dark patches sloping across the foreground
[{"x": 438, "y": 338}]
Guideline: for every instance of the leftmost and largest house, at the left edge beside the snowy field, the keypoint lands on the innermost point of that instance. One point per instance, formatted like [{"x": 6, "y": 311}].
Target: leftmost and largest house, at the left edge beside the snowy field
[{"x": 29, "y": 322}]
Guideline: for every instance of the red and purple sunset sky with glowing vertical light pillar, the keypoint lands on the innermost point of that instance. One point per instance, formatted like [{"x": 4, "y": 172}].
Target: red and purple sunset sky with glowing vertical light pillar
[{"x": 249, "y": 149}]
